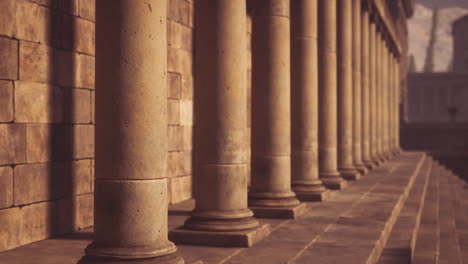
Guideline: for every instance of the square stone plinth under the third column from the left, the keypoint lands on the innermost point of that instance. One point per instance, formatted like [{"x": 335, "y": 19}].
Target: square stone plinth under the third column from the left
[{"x": 289, "y": 212}]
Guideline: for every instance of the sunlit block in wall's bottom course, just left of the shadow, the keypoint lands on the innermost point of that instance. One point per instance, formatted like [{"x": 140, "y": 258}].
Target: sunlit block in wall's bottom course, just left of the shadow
[{"x": 38, "y": 222}]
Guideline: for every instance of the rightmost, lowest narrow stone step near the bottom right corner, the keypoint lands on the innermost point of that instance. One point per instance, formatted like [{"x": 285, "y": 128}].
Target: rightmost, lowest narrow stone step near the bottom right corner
[{"x": 449, "y": 249}]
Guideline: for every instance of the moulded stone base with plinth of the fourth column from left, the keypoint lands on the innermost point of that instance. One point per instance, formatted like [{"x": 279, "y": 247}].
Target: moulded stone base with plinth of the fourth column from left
[{"x": 312, "y": 192}]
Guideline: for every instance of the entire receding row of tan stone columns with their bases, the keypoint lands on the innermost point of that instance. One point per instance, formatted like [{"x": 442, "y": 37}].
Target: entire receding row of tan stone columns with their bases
[{"x": 325, "y": 89}]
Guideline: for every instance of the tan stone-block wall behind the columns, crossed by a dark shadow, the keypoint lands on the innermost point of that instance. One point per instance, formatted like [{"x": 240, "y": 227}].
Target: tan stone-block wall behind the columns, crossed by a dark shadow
[{"x": 47, "y": 115}]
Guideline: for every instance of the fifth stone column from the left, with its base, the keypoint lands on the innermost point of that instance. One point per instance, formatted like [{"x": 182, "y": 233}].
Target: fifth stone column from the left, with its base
[{"x": 328, "y": 155}]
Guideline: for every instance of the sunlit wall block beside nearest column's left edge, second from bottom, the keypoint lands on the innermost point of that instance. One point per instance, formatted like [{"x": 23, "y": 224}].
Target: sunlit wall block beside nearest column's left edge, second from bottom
[{"x": 80, "y": 176}]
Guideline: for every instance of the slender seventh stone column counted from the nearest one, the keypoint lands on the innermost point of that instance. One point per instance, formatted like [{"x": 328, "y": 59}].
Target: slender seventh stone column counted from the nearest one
[{"x": 357, "y": 89}]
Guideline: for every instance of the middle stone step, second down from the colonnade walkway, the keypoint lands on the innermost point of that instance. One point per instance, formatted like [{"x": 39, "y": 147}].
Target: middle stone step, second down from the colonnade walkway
[{"x": 427, "y": 243}]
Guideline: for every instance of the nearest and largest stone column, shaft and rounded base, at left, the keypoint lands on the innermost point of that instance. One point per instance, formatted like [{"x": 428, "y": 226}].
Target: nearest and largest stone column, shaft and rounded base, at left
[{"x": 130, "y": 198}]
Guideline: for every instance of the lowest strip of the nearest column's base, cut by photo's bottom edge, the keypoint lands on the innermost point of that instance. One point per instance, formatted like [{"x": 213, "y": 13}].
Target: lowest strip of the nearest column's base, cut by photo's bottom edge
[{"x": 168, "y": 259}]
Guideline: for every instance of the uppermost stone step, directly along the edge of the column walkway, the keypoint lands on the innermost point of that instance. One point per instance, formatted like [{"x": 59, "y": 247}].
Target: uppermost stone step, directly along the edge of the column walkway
[{"x": 400, "y": 246}]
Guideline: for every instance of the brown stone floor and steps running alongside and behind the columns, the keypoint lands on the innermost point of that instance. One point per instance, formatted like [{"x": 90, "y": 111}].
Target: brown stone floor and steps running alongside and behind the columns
[{"x": 391, "y": 210}]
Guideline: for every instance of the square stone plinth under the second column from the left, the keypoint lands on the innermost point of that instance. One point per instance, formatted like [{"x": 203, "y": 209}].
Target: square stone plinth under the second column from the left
[{"x": 244, "y": 238}]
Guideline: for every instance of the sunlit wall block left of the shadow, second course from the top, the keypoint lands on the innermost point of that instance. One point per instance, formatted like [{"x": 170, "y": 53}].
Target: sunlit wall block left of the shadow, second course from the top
[{"x": 35, "y": 62}]
